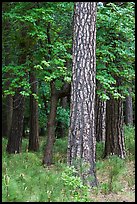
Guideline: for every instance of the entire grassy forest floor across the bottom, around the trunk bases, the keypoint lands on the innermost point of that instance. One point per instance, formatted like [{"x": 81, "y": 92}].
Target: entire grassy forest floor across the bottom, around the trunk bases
[{"x": 24, "y": 179}]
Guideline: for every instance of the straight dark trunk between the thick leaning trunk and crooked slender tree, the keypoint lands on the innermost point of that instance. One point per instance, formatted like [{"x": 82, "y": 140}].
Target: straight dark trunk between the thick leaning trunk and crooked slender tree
[{"x": 34, "y": 126}]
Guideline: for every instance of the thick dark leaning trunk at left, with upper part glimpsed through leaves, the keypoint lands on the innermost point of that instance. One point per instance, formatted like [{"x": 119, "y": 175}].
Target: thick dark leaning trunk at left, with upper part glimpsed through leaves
[{"x": 16, "y": 132}]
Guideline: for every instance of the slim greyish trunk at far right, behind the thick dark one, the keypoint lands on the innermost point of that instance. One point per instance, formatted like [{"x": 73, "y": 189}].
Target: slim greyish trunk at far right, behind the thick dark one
[{"x": 128, "y": 110}]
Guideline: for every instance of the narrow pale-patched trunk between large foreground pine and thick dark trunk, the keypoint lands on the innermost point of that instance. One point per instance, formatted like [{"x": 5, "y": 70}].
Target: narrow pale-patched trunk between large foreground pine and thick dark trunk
[{"x": 100, "y": 119}]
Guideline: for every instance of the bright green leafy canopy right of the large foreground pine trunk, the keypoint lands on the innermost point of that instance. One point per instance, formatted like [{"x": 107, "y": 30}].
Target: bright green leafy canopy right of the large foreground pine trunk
[{"x": 115, "y": 51}]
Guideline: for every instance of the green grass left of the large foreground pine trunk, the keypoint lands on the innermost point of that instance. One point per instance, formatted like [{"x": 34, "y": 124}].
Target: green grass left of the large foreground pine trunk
[{"x": 24, "y": 178}]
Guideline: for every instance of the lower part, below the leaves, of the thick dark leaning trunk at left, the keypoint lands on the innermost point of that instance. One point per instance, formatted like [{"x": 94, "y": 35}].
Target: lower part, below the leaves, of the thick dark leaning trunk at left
[{"x": 15, "y": 136}]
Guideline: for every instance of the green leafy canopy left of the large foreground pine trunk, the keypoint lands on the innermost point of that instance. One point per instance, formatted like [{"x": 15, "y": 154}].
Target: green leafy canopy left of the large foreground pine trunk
[{"x": 48, "y": 57}]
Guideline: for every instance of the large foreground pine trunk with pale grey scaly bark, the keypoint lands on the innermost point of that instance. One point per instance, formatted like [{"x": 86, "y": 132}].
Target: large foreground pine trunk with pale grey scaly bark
[{"x": 81, "y": 144}]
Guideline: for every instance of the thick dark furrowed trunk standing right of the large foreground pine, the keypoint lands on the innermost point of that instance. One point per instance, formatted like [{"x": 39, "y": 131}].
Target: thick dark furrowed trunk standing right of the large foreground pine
[{"x": 114, "y": 143}]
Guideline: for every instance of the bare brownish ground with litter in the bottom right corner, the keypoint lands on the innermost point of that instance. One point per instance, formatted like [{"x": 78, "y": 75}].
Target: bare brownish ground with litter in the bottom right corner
[{"x": 127, "y": 191}]
